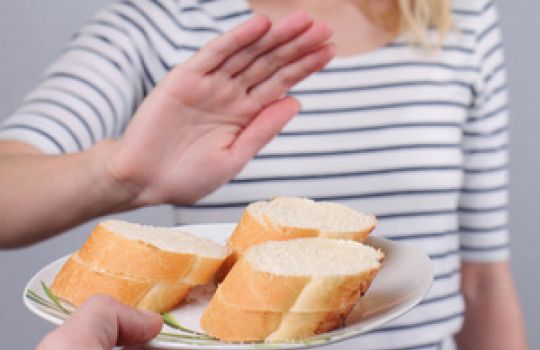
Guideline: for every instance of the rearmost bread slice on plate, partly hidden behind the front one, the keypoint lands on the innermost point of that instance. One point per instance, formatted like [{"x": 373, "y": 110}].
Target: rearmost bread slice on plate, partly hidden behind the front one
[{"x": 285, "y": 218}]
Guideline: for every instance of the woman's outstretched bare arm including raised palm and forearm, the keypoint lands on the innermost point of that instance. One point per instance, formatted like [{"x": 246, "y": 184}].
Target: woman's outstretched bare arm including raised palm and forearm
[{"x": 195, "y": 131}]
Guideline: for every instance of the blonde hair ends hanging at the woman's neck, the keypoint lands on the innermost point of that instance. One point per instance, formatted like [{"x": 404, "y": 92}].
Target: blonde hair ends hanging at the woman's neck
[{"x": 415, "y": 17}]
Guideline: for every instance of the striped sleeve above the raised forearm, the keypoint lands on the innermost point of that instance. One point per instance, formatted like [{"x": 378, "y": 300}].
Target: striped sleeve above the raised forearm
[{"x": 91, "y": 91}]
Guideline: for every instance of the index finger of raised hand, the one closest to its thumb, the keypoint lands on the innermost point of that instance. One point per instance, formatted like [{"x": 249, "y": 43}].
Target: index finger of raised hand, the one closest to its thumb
[{"x": 290, "y": 75}]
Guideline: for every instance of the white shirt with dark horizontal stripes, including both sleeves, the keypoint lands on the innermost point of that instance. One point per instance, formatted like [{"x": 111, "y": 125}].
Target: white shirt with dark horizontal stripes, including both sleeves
[{"x": 418, "y": 138}]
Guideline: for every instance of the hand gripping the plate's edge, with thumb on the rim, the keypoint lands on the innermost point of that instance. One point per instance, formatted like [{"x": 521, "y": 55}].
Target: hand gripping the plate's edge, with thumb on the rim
[{"x": 102, "y": 323}]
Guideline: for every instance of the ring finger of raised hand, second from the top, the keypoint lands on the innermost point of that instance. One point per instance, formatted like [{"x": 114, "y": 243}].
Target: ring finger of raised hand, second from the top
[{"x": 288, "y": 29}]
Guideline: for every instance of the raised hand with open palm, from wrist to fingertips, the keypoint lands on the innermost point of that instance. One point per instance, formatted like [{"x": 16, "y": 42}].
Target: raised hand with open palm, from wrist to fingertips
[{"x": 213, "y": 113}]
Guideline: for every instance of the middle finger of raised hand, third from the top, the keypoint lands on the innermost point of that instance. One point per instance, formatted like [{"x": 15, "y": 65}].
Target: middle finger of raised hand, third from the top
[{"x": 269, "y": 63}]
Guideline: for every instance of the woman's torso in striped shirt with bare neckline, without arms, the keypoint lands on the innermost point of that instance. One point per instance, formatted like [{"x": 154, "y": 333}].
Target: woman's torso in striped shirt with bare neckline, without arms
[{"x": 380, "y": 130}]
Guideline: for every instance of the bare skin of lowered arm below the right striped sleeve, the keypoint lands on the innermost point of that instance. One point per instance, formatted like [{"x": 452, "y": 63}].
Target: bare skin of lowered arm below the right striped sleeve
[{"x": 493, "y": 317}]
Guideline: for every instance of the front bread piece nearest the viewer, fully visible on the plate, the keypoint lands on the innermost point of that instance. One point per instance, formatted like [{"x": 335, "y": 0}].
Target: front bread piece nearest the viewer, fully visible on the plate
[{"x": 284, "y": 290}]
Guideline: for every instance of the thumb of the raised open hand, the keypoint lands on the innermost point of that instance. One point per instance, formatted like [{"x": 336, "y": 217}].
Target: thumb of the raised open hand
[{"x": 263, "y": 128}]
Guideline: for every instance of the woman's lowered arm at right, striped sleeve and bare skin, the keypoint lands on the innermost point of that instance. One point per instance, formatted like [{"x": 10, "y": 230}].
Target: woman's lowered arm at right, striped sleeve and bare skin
[{"x": 492, "y": 316}]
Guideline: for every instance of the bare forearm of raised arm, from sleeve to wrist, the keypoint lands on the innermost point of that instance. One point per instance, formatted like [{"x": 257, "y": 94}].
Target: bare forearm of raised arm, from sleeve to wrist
[{"x": 42, "y": 195}]
